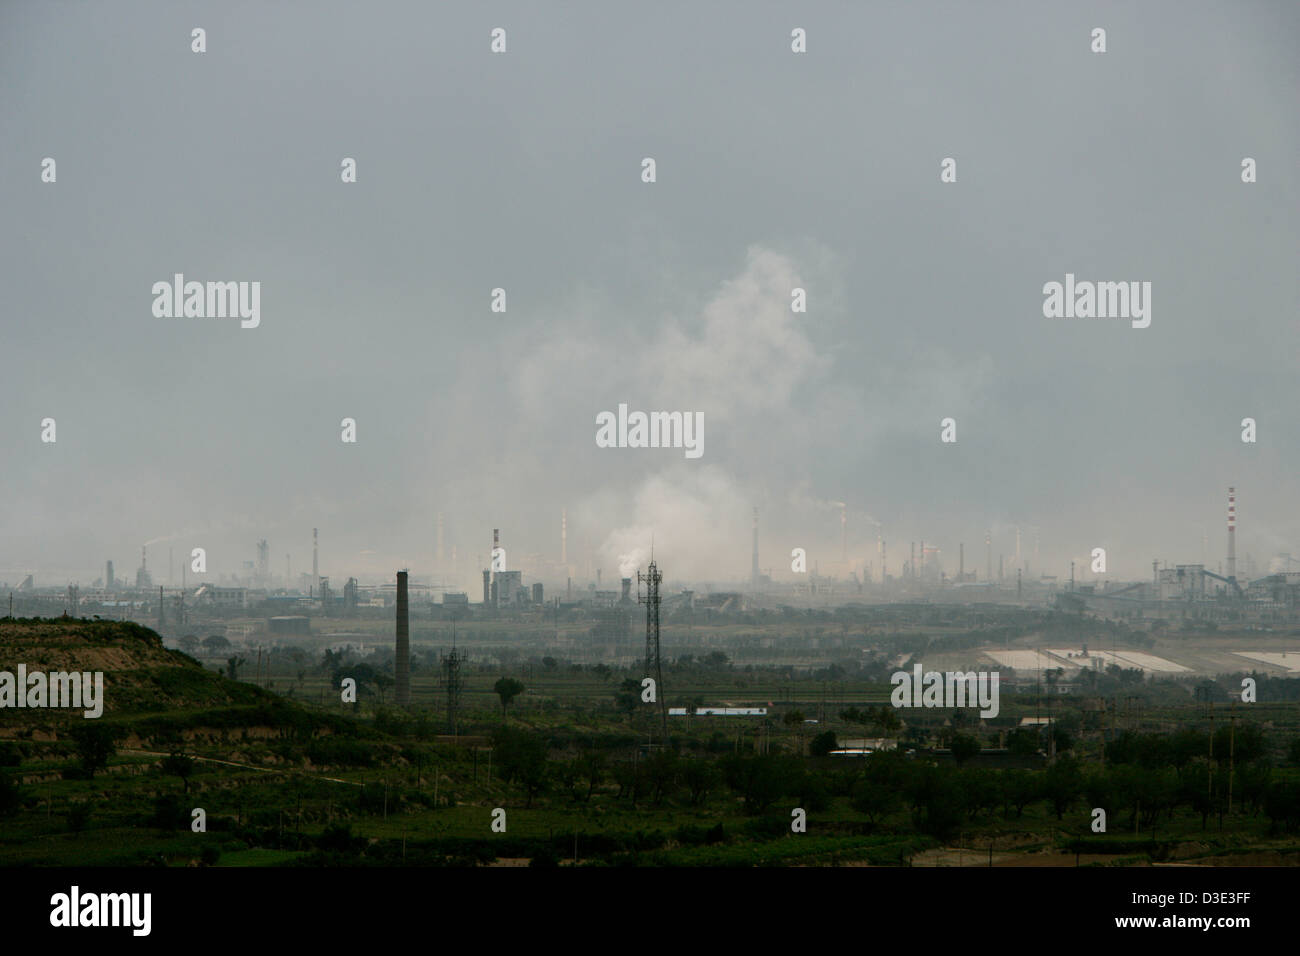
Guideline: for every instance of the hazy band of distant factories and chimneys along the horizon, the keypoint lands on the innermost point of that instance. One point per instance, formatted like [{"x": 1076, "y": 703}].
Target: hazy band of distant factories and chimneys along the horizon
[{"x": 500, "y": 581}]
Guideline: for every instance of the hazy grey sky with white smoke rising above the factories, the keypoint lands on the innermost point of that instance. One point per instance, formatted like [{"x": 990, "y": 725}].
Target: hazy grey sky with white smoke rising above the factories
[{"x": 523, "y": 171}]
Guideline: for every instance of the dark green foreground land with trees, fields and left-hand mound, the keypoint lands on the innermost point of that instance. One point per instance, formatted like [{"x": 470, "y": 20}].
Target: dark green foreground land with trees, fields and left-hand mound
[{"x": 575, "y": 764}]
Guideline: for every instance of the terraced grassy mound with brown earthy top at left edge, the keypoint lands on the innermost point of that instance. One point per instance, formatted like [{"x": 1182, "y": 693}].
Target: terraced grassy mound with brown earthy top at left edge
[{"x": 141, "y": 677}]
